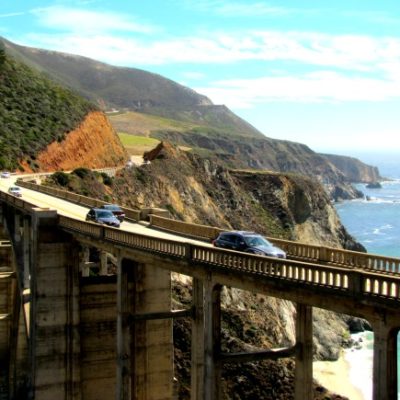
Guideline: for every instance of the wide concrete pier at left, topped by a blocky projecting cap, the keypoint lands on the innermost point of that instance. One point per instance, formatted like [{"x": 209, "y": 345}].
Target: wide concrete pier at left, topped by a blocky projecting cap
[{"x": 54, "y": 311}]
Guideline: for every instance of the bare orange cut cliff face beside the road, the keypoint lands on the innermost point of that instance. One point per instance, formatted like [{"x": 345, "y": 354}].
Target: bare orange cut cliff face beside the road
[{"x": 93, "y": 144}]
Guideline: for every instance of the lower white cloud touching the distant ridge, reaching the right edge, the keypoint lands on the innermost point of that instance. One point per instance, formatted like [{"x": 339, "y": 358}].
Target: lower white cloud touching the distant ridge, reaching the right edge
[{"x": 323, "y": 86}]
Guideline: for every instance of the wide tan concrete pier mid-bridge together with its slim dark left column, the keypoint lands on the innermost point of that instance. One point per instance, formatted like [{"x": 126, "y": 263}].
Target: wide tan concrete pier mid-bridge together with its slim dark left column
[{"x": 145, "y": 348}]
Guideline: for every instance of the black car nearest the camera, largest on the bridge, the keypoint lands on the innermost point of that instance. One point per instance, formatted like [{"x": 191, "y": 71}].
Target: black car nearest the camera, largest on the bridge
[{"x": 249, "y": 242}]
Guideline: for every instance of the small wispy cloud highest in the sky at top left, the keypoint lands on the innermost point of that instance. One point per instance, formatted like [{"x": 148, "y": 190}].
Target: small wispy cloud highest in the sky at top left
[{"x": 85, "y": 21}]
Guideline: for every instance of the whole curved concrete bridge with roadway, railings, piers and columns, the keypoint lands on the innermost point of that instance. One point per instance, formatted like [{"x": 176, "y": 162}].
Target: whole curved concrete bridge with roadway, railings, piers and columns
[{"x": 77, "y": 327}]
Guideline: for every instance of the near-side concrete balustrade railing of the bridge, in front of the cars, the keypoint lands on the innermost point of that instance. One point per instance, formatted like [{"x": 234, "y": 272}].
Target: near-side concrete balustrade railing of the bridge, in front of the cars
[{"x": 351, "y": 282}]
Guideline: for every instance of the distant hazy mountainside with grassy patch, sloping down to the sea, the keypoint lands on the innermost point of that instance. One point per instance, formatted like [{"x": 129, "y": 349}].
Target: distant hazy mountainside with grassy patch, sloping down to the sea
[{"x": 209, "y": 129}]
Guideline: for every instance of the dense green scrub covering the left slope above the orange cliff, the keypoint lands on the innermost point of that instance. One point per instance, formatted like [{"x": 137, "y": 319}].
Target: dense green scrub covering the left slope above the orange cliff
[{"x": 33, "y": 112}]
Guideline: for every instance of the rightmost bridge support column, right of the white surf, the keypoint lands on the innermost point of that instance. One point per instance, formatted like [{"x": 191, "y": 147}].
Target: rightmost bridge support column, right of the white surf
[{"x": 385, "y": 362}]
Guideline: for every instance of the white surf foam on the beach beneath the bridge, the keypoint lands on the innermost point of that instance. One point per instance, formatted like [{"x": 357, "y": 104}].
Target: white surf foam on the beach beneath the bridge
[{"x": 360, "y": 362}]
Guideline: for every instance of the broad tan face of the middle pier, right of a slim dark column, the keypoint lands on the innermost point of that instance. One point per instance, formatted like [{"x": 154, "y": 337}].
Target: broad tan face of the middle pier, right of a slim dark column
[{"x": 152, "y": 341}]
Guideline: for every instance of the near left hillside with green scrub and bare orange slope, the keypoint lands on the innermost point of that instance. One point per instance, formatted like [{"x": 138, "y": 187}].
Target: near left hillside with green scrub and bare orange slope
[{"x": 35, "y": 112}]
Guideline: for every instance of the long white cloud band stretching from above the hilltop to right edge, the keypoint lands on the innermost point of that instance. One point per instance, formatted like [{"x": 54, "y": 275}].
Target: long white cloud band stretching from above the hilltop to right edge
[{"x": 356, "y": 53}]
